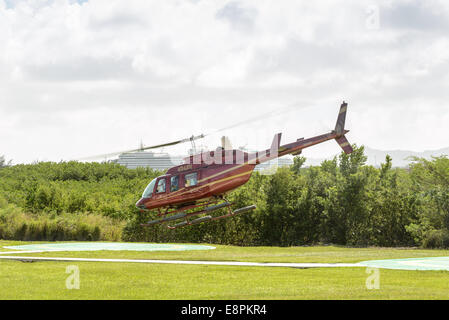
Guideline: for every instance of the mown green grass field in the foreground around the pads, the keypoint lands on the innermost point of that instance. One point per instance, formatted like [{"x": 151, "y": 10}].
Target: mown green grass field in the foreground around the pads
[{"x": 99, "y": 280}]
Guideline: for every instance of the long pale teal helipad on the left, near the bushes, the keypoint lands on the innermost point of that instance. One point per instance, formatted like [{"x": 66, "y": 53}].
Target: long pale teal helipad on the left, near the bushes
[{"x": 116, "y": 246}]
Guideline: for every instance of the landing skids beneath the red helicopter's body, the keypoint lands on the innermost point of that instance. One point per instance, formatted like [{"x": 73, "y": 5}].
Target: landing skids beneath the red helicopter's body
[{"x": 186, "y": 216}]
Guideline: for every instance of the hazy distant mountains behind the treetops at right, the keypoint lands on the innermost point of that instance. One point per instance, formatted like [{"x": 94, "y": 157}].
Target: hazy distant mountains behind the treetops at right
[{"x": 400, "y": 157}]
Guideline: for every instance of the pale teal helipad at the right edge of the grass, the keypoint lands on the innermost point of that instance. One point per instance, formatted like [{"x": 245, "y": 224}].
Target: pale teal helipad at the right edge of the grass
[{"x": 431, "y": 263}]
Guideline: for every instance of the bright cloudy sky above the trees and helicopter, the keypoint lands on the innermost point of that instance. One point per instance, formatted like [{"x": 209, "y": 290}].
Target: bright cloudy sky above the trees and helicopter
[{"x": 80, "y": 78}]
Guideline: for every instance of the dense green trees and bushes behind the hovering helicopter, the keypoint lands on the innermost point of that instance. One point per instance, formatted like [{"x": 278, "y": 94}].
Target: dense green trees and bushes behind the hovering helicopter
[{"x": 342, "y": 201}]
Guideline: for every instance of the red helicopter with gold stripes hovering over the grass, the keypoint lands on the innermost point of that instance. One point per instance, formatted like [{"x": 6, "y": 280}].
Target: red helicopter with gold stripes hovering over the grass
[{"x": 200, "y": 184}]
